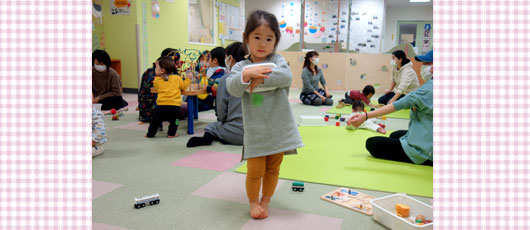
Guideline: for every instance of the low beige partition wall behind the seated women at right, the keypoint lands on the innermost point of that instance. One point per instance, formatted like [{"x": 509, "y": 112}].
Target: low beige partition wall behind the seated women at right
[{"x": 345, "y": 71}]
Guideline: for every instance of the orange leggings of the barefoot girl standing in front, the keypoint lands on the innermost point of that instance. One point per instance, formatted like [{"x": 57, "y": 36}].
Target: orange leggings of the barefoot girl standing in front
[{"x": 266, "y": 167}]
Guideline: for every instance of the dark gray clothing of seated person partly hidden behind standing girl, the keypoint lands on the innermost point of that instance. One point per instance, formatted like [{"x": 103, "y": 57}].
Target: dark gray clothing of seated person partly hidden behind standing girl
[{"x": 229, "y": 125}]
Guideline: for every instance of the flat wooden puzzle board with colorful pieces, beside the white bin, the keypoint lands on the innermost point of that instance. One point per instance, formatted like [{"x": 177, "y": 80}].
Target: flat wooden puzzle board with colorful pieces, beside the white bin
[{"x": 350, "y": 199}]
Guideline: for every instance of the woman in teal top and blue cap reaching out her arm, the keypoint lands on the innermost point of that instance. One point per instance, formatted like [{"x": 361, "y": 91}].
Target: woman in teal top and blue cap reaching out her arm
[{"x": 412, "y": 146}]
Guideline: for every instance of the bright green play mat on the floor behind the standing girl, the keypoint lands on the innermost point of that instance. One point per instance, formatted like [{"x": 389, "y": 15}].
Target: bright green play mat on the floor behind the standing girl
[{"x": 337, "y": 156}]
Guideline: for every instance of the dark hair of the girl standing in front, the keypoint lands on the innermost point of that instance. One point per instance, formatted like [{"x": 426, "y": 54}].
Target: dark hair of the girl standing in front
[{"x": 258, "y": 18}]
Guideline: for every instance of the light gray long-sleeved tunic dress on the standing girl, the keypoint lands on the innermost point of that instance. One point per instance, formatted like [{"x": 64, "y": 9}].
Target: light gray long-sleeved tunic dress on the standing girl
[{"x": 269, "y": 126}]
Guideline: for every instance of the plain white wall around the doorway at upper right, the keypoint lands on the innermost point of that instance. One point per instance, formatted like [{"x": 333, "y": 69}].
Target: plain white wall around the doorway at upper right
[{"x": 395, "y": 14}]
